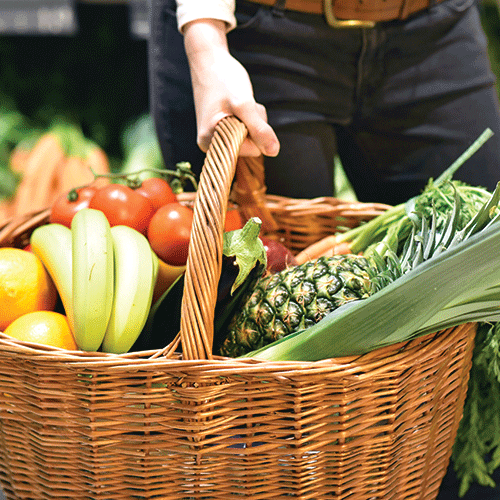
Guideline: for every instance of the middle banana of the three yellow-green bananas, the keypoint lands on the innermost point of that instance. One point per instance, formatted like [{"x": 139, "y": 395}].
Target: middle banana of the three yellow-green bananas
[{"x": 93, "y": 280}]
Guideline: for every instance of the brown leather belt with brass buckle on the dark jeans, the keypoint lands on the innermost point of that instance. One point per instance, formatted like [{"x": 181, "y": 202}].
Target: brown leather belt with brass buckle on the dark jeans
[{"x": 355, "y": 13}]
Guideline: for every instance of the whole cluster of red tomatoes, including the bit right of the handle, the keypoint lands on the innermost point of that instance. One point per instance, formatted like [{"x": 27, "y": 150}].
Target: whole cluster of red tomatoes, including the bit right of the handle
[{"x": 151, "y": 207}]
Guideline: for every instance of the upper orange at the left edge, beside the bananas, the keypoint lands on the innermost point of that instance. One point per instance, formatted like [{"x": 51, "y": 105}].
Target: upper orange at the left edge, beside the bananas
[{"x": 25, "y": 285}]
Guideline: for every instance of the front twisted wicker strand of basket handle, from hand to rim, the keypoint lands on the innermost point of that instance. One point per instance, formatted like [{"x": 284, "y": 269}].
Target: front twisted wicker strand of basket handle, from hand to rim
[{"x": 204, "y": 262}]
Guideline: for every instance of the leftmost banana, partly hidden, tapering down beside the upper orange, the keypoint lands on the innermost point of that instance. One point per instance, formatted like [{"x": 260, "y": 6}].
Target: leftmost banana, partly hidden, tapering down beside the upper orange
[{"x": 51, "y": 243}]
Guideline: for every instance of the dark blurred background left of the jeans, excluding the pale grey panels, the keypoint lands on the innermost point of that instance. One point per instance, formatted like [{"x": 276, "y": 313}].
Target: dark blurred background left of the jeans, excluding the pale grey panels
[{"x": 97, "y": 77}]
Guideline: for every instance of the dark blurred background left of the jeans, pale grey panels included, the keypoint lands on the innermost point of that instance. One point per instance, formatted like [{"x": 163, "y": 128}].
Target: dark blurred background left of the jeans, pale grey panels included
[{"x": 85, "y": 61}]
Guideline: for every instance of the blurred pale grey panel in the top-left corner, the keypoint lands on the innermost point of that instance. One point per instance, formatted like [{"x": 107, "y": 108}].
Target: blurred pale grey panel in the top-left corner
[{"x": 37, "y": 17}]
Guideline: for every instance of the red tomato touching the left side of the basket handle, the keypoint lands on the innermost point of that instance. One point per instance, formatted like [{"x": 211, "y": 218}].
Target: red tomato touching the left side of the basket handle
[{"x": 169, "y": 232}]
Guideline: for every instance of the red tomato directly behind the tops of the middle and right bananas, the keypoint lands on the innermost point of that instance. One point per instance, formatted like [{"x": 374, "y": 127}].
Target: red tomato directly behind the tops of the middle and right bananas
[{"x": 122, "y": 205}]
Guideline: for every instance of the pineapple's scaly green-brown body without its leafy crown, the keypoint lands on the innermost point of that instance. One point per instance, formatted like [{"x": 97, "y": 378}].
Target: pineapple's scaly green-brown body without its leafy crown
[{"x": 296, "y": 298}]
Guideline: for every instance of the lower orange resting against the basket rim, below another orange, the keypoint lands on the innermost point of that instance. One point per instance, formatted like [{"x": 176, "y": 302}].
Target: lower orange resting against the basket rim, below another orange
[{"x": 43, "y": 327}]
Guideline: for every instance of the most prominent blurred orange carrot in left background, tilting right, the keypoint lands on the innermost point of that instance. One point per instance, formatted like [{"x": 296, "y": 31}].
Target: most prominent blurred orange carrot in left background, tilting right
[{"x": 34, "y": 190}]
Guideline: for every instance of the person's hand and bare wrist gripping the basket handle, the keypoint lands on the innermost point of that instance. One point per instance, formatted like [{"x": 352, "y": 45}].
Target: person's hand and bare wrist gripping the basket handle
[{"x": 222, "y": 87}]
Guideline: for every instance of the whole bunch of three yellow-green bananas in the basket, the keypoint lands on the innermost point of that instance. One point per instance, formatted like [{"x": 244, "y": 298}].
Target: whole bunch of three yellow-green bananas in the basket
[{"x": 105, "y": 277}]
